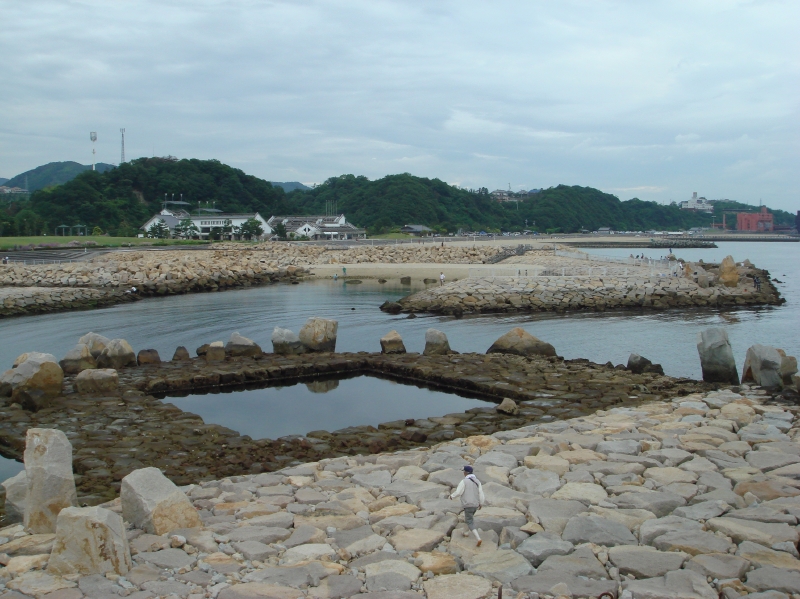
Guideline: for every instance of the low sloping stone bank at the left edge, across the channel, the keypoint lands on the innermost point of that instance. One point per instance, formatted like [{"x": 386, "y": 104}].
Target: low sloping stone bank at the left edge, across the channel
[{"x": 18, "y": 301}]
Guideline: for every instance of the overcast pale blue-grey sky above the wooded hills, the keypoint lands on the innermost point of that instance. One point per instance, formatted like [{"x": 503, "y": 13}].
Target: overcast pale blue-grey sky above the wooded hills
[{"x": 650, "y": 99}]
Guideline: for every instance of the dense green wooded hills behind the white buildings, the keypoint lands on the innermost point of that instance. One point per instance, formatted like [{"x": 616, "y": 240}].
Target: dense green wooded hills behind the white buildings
[{"x": 120, "y": 200}]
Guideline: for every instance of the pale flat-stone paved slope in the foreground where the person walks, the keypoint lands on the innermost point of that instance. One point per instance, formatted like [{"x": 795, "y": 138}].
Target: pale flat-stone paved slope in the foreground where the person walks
[{"x": 694, "y": 497}]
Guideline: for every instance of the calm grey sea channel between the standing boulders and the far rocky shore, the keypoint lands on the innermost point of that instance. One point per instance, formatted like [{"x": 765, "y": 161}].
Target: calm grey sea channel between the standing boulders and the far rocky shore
[{"x": 191, "y": 320}]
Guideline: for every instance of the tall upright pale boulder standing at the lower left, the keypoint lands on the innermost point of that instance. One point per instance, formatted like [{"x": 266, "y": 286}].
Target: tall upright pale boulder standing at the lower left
[{"x": 51, "y": 485}]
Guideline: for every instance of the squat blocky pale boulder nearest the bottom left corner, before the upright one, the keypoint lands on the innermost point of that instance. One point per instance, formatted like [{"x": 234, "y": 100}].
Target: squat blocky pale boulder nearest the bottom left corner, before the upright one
[{"x": 89, "y": 540}]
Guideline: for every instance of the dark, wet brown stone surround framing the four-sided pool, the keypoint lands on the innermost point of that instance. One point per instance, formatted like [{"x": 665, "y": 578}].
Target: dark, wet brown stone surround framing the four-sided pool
[{"x": 115, "y": 433}]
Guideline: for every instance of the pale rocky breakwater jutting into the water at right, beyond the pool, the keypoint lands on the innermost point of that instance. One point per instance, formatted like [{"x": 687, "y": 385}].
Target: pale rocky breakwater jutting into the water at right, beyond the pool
[{"x": 539, "y": 294}]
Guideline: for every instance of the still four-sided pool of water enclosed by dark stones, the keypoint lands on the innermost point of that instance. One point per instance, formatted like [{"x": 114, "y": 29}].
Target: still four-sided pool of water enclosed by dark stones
[{"x": 330, "y": 405}]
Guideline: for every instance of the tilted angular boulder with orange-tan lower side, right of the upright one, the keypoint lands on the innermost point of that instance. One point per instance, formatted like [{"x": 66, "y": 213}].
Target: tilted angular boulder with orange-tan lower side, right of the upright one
[{"x": 152, "y": 502}]
